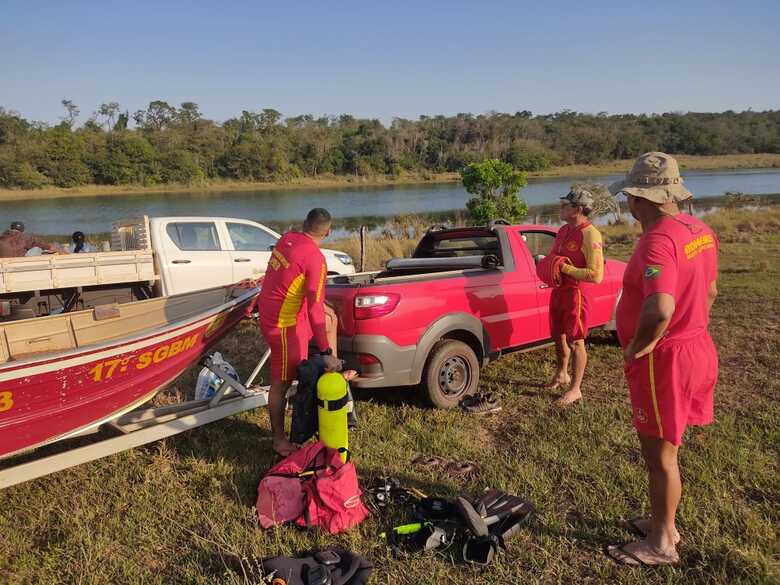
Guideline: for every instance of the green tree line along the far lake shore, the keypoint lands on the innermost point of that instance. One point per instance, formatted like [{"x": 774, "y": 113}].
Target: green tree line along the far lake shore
[{"x": 168, "y": 144}]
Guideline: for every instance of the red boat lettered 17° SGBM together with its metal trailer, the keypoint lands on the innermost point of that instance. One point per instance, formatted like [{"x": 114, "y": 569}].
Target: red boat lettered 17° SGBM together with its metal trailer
[{"x": 70, "y": 374}]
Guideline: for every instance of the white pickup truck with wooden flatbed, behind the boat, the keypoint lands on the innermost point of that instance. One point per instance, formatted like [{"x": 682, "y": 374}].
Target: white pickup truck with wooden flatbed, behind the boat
[{"x": 149, "y": 257}]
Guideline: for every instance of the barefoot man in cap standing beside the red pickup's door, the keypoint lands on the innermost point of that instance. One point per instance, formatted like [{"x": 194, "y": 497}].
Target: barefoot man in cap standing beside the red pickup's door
[{"x": 580, "y": 243}]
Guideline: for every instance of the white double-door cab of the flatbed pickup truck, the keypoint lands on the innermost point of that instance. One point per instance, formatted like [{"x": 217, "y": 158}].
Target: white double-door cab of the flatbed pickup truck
[{"x": 200, "y": 252}]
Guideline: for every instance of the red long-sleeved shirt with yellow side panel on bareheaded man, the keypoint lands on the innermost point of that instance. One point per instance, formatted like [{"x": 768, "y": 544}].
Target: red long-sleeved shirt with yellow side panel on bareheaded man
[{"x": 295, "y": 277}]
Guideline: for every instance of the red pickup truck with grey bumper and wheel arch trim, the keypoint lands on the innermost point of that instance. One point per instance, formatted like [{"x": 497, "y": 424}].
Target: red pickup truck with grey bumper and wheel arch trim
[{"x": 466, "y": 296}]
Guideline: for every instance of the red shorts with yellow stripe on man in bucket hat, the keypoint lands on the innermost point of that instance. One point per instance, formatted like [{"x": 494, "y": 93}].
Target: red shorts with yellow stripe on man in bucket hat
[{"x": 673, "y": 387}]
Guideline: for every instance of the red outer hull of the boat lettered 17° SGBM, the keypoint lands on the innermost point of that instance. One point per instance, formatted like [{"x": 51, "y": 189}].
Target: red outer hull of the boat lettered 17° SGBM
[{"x": 49, "y": 399}]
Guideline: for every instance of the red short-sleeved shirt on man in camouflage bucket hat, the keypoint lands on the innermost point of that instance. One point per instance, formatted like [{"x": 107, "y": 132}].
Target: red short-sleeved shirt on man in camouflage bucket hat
[{"x": 678, "y": 256}]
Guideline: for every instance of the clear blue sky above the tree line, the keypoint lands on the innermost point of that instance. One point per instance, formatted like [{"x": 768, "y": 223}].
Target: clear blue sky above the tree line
[{"x": 390, "y": 59}]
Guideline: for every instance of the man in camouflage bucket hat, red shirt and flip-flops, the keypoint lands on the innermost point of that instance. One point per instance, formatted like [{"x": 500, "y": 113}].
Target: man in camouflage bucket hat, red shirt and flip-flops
[{"x": 671, "y": 364}]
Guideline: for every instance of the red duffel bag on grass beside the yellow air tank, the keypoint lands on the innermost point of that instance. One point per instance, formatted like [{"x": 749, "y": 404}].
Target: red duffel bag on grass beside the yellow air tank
[{"x": 311, "y": 487}]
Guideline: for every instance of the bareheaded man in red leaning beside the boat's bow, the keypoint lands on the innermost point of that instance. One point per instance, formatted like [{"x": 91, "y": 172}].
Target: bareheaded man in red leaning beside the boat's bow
[{"x": 292, "y": 310}]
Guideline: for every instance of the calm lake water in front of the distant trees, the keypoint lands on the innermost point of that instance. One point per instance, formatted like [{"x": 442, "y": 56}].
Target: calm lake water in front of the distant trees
[{"x": 280, "y": 207}]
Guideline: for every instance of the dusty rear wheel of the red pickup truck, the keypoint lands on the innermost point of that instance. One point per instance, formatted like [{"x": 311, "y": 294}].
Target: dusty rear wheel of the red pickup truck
[{"x": 451, "y": 373}]
